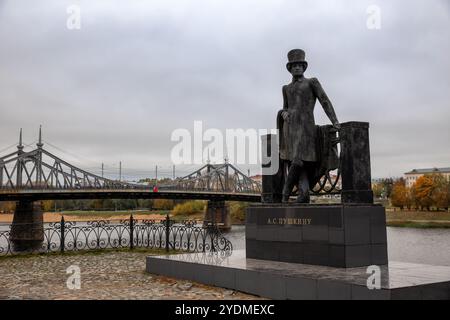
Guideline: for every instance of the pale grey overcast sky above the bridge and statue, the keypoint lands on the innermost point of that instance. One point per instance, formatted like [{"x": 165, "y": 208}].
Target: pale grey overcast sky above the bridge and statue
[{"x": 115, "y": 89}]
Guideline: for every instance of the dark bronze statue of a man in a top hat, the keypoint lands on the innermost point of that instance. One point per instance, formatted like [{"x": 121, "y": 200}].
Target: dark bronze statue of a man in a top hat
[{"x": 298, "y": 131}]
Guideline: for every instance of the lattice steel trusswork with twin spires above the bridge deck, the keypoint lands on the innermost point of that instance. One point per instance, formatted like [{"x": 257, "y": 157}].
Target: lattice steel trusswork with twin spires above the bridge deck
[{"x": 40, "y": 169}]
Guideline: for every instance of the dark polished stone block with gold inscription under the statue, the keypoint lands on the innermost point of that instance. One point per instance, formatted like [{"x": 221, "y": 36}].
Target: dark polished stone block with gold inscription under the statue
[{"x": 329, "y": 235}]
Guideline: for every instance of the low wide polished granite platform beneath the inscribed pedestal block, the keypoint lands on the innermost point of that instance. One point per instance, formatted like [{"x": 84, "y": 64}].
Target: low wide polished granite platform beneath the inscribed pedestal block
[{"x": 282, "y": 280}]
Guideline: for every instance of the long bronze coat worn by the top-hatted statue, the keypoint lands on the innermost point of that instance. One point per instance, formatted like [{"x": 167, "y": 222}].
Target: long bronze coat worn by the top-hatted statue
[{"x": 298, "y": 135}]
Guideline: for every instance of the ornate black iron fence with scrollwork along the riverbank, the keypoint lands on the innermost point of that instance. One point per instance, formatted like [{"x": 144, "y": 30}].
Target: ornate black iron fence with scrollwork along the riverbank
[{"x": 167, "y": 234}]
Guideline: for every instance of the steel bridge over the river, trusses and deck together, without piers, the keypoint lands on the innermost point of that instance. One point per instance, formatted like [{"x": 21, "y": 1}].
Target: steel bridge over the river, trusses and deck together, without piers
[{"x": 41, "y": 175}]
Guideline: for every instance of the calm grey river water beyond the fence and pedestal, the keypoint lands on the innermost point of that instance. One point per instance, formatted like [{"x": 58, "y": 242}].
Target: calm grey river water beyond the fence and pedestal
[{"x": 429, "y": 246}]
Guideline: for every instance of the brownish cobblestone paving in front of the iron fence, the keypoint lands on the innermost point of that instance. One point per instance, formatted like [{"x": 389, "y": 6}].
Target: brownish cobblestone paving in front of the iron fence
[{"x": 104, "y": 275}]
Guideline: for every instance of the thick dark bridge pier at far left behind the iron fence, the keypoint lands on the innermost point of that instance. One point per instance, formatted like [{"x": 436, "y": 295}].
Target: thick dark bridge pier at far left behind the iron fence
[{"x": 27, "y": 229}]
